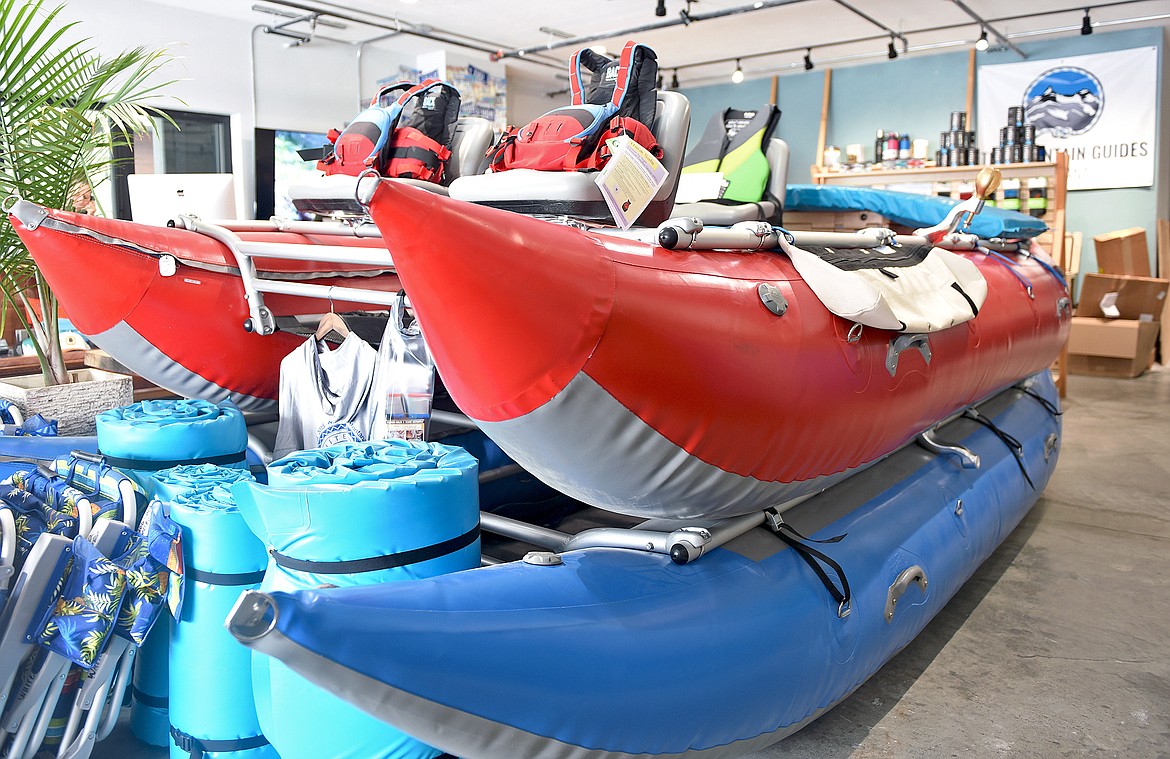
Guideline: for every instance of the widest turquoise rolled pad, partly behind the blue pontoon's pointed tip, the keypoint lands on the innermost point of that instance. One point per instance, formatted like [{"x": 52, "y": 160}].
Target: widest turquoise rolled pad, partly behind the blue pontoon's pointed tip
[{"x": 350, "y": 515}]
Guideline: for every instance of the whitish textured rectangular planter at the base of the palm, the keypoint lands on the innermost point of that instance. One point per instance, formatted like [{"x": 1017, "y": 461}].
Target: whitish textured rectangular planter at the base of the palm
[{"x": 74, "y": 405}]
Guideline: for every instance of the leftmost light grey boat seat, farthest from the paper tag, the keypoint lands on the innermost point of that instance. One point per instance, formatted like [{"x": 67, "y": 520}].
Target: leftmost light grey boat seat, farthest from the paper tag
[{"x": 335, "y": 195}]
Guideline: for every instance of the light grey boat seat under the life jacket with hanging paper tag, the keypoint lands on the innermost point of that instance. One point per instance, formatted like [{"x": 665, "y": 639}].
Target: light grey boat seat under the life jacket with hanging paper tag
[{"x": 576, "y": 194}]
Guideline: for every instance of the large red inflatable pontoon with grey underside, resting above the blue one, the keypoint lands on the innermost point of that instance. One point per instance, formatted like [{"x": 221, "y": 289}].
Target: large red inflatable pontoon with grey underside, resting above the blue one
[{"x": 659, "y": 383}]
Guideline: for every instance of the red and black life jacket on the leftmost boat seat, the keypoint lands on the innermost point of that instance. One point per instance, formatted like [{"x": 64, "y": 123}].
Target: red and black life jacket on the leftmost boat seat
[{"x": 407, "y": 132}]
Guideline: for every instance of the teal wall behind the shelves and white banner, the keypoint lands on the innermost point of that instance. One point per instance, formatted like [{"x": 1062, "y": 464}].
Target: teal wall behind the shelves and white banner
[{"x": 917, "y": 94}]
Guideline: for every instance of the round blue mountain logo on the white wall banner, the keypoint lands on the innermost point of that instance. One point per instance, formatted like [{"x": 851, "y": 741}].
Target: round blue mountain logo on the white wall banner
[{"x": 1064, "y": 102}]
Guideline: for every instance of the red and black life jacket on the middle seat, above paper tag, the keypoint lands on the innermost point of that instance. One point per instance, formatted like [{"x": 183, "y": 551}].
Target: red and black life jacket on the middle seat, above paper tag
[{"x": 610, "y": 98}]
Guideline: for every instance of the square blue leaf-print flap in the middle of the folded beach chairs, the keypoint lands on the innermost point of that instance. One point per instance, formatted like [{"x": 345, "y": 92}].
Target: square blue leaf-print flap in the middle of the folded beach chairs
[{"x": 79, "y": 624}]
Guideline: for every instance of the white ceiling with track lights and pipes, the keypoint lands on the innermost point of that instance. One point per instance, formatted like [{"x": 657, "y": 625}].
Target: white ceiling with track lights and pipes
[{"x": 770, "y": 40}]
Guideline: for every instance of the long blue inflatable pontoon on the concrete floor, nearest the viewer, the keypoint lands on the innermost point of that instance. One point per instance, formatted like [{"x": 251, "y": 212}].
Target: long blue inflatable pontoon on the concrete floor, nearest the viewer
[{"x": 657, "y": 644}]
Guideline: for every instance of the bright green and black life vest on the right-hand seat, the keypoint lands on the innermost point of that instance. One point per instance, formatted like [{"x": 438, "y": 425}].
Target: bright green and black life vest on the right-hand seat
[{"x": 734, "y": 144}]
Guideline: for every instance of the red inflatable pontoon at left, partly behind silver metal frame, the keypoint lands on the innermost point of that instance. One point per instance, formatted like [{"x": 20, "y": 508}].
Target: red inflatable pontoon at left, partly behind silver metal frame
[{"x": 171, "y": 305}]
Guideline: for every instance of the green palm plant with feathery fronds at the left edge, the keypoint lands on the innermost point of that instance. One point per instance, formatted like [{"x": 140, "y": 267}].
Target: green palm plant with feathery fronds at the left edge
[{"x": 64, "y": 109}]
